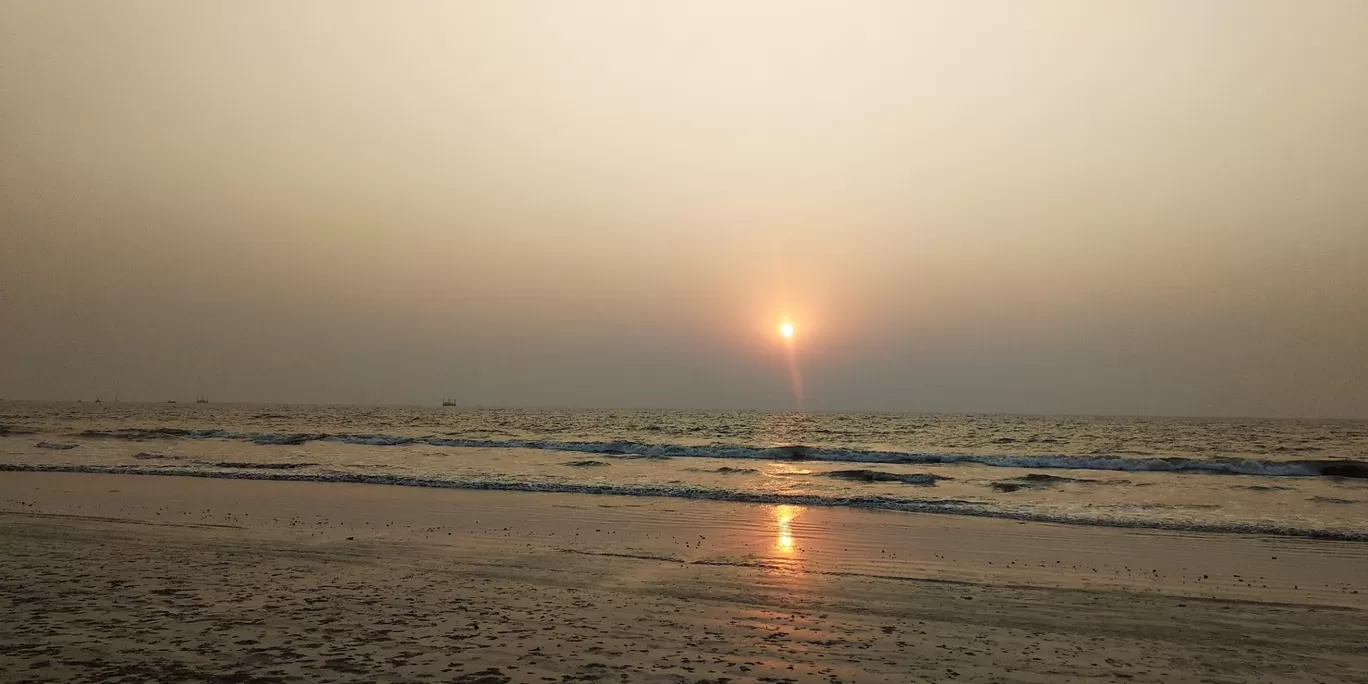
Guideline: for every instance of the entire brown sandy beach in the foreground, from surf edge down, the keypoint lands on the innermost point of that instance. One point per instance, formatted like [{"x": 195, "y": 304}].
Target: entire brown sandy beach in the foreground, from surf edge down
[{"x": 177, "y": 579}]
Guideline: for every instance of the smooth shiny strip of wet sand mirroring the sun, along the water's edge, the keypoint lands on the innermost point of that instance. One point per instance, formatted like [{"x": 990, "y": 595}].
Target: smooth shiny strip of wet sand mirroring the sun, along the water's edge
[{"x": 791, "y": 538}]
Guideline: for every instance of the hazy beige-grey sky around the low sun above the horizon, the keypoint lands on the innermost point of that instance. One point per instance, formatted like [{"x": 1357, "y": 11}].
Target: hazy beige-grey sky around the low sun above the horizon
[{"x": 964, "y": 206}]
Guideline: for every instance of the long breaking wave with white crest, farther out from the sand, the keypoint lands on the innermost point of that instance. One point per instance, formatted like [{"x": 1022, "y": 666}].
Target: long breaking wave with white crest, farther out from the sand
[{"x": 627, "y": 449}]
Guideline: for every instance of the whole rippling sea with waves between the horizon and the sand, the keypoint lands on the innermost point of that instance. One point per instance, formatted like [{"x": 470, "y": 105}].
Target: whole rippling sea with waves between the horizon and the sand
[{"x": 1304, "y": 478}]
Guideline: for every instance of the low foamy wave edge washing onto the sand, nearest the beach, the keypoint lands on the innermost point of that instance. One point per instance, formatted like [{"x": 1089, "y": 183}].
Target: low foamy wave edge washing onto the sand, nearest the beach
[{"x": 938, "y": 507}]
